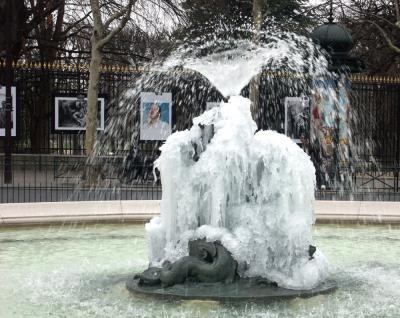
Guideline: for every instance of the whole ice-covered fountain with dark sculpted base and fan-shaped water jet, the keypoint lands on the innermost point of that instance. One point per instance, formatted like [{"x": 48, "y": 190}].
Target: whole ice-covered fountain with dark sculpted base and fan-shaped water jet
[{"x": 237, "y": 204}]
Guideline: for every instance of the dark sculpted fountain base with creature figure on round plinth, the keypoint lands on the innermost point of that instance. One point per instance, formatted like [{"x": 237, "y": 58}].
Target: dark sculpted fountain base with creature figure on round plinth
[{"x": 210, "y": 272}]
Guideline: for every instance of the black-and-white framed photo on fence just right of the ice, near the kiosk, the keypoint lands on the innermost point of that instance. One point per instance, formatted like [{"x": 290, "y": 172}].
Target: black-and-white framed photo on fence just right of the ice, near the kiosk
[{"x": 297, "y": 118}]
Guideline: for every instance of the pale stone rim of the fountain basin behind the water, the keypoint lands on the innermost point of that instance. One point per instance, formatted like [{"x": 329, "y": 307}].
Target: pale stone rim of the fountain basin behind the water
[{"x": 142, "y": 211}]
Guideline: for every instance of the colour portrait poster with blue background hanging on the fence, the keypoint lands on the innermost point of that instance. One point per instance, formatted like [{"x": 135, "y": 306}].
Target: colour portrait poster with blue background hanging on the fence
[{"x": 155, "y": 116}]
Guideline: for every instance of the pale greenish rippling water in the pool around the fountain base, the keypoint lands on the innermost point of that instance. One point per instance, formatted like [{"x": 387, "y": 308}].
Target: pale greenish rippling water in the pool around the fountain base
[{"x": 80, "y": 271}]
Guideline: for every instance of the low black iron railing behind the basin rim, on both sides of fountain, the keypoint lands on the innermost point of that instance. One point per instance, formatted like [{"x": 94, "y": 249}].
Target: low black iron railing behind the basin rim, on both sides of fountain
[{"x": 51, "y": 178}]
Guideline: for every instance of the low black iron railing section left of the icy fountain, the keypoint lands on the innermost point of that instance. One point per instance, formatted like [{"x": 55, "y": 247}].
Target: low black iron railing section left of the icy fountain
[{"x": 51, "y": 178}]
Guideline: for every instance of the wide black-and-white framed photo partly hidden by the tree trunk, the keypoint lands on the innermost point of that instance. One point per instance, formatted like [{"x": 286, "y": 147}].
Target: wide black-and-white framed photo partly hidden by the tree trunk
[{"x": 70, "y": 113}]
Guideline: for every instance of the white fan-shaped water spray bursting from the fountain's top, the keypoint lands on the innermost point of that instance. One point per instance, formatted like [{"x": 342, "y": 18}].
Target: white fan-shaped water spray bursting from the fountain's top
[{"x": 230, "y": 70}]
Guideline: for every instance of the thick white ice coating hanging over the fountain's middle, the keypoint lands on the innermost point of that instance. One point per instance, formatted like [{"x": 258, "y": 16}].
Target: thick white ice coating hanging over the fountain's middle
[{"x": 254, "y": 192}]
